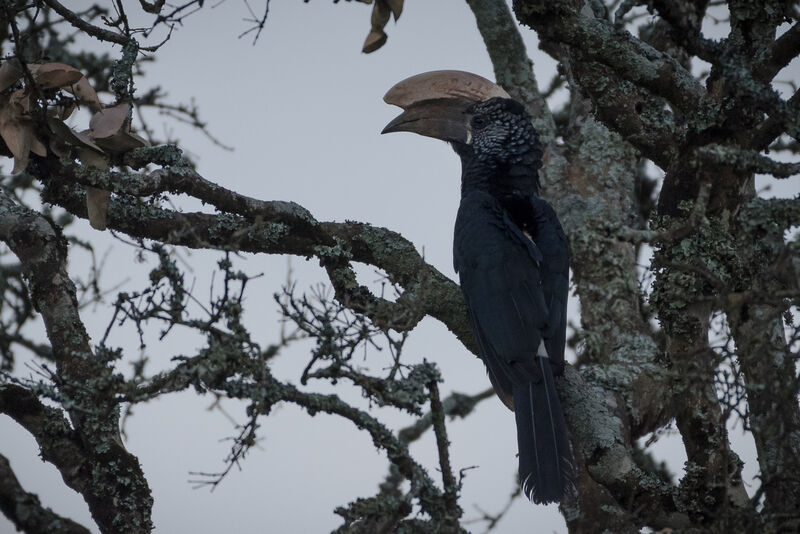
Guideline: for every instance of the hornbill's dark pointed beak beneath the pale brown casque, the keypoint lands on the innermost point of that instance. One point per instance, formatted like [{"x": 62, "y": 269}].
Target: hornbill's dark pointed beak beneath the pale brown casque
[{"x": 441, "y": 118}]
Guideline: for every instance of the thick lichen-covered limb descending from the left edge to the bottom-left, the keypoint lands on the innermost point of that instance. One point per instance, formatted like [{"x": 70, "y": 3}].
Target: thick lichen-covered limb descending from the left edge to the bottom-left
[{"x": 116, "y": 492}]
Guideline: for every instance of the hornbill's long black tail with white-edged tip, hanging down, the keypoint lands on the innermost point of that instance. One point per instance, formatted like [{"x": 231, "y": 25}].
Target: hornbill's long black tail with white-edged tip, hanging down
[{"x": 545, "y": 458}]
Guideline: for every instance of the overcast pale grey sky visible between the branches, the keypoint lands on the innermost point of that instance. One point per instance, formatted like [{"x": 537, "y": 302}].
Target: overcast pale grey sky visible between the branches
[{"x": 303, "y": 109}]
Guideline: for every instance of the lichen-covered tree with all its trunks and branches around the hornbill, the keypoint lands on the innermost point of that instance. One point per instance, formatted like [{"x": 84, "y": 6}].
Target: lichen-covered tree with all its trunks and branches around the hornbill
[{"x": 720, "y": 253}]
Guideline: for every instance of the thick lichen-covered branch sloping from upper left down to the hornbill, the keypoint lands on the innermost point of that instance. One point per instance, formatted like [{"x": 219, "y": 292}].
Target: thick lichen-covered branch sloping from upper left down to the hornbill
[{"x": 274, "y": 228}]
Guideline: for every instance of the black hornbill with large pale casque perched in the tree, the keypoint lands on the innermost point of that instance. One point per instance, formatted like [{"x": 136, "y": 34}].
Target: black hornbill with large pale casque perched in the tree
[{"x": 511, "y": 256}]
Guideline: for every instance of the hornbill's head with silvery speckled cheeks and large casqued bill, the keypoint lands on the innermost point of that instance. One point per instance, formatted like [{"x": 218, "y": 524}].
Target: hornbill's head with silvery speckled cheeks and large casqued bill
[{"x": 472, "y": 113}]
